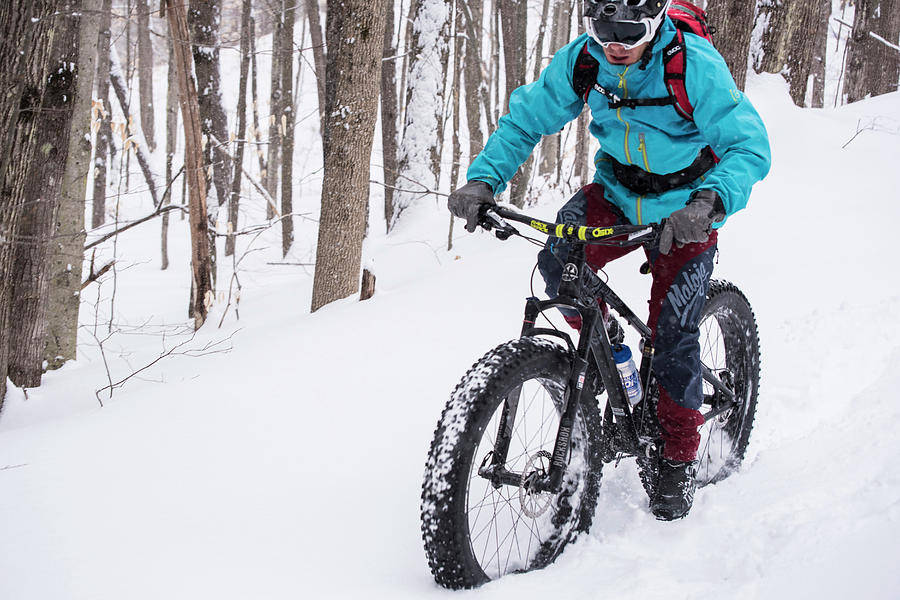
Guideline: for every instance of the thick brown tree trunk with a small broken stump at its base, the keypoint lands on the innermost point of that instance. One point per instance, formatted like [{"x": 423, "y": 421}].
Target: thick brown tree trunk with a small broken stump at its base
[{"x": 355, "y": 46}]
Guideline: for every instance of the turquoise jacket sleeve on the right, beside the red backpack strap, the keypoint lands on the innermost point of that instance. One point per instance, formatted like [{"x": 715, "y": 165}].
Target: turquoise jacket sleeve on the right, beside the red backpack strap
[{"x": 729, "y": 124}]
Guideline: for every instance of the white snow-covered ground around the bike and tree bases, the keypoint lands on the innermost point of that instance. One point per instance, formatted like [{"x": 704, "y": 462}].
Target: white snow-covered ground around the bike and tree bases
[{"x": 291, "y": 465}]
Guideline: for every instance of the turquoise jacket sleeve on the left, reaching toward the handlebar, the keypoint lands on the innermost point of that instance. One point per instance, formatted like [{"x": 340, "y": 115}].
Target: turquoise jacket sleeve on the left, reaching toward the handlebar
[{"x": 536, "y": 109}]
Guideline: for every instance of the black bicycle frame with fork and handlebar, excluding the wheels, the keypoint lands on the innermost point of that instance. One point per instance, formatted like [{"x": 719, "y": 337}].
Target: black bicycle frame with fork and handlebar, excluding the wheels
[{"x": 580, "y": 290}]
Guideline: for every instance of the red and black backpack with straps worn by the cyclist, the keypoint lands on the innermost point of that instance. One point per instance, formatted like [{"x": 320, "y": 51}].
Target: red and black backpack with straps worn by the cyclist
[{"x": 687, "y": 18}]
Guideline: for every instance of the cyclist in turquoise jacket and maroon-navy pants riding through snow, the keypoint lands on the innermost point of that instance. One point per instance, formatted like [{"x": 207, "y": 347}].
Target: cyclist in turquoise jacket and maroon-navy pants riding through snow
[{"x": 655, "y": 162}]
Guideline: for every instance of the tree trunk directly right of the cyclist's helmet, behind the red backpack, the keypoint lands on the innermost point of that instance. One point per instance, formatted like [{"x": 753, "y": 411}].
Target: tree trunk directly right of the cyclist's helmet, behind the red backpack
[{"x": 734, "y": 24}]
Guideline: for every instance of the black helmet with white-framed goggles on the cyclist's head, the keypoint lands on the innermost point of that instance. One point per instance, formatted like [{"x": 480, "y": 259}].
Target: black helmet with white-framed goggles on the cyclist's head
[{"x": 626, "y": 22}]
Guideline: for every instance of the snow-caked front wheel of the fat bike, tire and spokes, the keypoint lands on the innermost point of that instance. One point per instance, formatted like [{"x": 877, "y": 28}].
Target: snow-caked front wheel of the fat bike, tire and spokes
[{"x": 476, "y": 530}]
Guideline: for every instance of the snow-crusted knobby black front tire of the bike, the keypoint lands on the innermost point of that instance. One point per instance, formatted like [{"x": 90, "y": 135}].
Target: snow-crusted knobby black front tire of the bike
[{"x": 445, "y": 524}]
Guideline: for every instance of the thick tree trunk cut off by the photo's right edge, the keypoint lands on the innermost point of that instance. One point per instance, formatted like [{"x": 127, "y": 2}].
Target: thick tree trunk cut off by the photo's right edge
[{"x": 873, "y": 67}]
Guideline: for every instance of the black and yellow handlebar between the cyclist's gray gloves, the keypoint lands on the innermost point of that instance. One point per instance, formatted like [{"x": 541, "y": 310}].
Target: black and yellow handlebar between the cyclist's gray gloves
[{"x": 493, "y": 217}]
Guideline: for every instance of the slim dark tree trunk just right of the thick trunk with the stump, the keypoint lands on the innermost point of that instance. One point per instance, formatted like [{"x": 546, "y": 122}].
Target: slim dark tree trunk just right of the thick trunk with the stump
[{"x": 389, "y": 112}]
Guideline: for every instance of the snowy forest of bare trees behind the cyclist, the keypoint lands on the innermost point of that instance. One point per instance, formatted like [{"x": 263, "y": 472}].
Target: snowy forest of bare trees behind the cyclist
[{"x": 88, "y": 152}]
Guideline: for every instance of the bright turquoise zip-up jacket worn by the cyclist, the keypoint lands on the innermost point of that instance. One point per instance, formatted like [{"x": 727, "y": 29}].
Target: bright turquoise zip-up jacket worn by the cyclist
[{"x": 655, "y": 138}]
